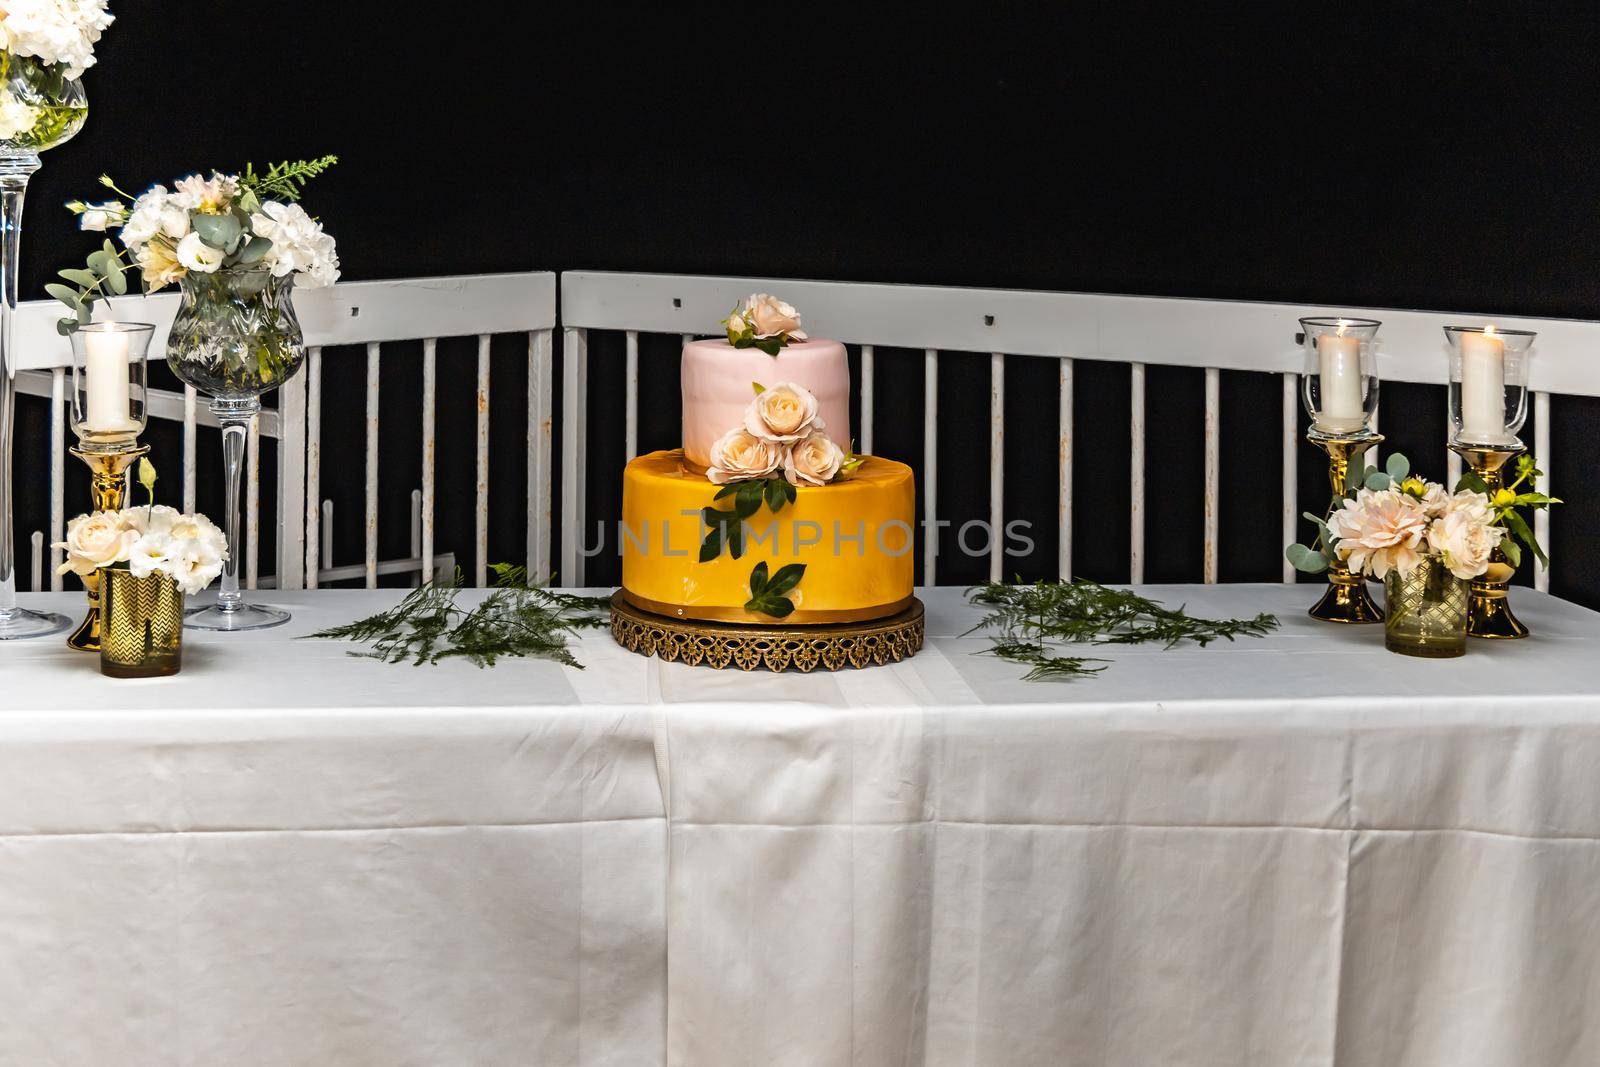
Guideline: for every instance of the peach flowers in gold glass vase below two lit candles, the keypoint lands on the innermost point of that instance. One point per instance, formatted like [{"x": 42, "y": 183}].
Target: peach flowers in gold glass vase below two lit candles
[{"x": 1425, "y": 543}]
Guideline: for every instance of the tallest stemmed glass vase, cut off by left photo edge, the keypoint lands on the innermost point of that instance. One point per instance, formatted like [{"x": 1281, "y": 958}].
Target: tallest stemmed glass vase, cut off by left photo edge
[{"x": 39, "y": 110}]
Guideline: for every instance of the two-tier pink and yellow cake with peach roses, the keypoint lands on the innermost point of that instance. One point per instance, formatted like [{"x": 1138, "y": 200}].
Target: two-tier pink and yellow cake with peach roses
[{"x": 767, "y": 516}]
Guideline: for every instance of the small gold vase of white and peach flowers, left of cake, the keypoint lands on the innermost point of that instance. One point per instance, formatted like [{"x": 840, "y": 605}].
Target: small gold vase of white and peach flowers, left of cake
[{"x": 148, "y": 561}]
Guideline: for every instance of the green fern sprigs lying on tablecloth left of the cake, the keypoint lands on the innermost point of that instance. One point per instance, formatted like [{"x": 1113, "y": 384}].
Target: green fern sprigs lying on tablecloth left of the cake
[{"x": 516, "y": 620}]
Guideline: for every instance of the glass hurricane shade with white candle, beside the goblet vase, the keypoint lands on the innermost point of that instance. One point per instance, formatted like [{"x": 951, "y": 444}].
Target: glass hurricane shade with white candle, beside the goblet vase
[{"x": 110, "y": 385}]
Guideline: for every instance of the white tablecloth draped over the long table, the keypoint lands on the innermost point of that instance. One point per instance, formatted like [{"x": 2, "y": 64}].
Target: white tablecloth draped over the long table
[{"x": 1297, "y": 850}]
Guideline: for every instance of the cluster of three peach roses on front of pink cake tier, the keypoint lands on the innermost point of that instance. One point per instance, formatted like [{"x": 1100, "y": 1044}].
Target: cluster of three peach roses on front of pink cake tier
[{"x": 782, "y": 433}]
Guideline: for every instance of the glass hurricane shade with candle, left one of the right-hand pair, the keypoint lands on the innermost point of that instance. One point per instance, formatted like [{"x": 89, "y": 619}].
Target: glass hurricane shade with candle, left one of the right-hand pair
[{"x": 1340, "y": 380}]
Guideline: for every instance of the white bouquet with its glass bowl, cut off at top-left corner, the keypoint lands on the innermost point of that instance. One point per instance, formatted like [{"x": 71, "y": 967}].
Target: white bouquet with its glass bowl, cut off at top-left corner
[{"x": 46, "y": 47}]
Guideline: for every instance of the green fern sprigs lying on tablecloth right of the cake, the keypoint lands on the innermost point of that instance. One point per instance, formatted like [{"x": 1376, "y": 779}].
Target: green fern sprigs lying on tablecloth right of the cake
[{"x": 1030, "y": 620}]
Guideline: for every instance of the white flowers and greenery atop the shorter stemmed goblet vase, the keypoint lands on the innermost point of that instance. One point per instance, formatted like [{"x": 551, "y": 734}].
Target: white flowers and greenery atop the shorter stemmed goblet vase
[{"x": 247, "y": 222}]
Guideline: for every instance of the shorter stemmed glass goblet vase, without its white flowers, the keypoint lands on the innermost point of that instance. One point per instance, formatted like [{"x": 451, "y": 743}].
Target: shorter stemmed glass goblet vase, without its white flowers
[{"x": 236, "y": 338}]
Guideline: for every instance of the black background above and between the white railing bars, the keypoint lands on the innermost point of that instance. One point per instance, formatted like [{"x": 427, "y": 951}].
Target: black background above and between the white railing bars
[{"x": 1399, "y": 156}]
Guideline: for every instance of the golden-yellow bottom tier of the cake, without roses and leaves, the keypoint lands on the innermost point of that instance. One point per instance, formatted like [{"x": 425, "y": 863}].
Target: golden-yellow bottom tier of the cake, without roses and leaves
[{"x": 855, "y": 538}]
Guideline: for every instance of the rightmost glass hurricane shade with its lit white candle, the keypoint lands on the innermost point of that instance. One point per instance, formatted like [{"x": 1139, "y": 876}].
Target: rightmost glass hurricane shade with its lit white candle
[{"x": 1489, "y": 385}]
